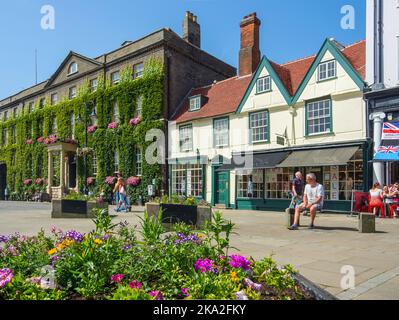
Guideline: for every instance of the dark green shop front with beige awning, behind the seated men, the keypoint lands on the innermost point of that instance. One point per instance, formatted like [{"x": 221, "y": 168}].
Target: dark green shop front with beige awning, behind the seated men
[{"x": 340, "y": 168}]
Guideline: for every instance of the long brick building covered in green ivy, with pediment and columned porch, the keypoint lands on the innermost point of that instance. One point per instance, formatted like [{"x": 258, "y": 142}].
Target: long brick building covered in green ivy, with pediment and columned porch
[{"x": 116, "y": 98}]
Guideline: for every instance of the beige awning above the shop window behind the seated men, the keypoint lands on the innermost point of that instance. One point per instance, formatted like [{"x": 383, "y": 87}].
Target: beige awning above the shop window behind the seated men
[{"x": 319, "y": 157}]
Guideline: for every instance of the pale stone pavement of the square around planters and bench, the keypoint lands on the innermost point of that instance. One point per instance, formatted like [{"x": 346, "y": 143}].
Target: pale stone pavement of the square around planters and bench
[{"x": 327, "y": 255}]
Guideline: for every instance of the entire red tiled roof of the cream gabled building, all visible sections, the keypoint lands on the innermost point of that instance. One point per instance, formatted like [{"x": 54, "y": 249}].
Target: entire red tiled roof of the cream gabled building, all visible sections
[{"x": 224, "y": 96}]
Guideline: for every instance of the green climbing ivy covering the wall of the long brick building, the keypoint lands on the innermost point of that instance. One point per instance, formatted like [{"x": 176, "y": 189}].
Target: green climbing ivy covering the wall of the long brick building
[{"x": 26, "y": 158}]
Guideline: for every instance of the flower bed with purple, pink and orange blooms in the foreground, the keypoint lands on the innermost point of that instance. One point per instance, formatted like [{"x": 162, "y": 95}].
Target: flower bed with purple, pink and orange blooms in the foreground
[{"x": 110, "y": 263}]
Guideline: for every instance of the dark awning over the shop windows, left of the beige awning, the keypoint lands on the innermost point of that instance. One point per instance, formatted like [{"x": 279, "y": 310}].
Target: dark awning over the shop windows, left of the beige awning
[{"x": 255, "y": 161}]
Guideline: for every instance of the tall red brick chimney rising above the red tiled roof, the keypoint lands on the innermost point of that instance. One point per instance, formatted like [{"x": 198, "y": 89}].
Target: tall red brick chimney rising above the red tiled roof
[{"x": 249, "y": 52}]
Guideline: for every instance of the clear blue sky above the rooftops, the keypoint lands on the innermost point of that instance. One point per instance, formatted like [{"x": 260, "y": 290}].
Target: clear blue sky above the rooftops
[{"x": 290, "y": 29}]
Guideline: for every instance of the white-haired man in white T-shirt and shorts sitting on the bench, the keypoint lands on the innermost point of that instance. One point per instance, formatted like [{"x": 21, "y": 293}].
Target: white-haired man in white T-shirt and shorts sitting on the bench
[{"x": 312, "y": 200}]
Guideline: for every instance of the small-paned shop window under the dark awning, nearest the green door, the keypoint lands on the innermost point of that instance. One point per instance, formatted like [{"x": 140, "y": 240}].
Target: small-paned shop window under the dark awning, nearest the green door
[{"x": 250, "y": 184}]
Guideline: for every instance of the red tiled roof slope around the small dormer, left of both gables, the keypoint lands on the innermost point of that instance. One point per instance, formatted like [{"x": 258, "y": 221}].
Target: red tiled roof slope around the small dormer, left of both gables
[{"x": 221, "y": 98}]
